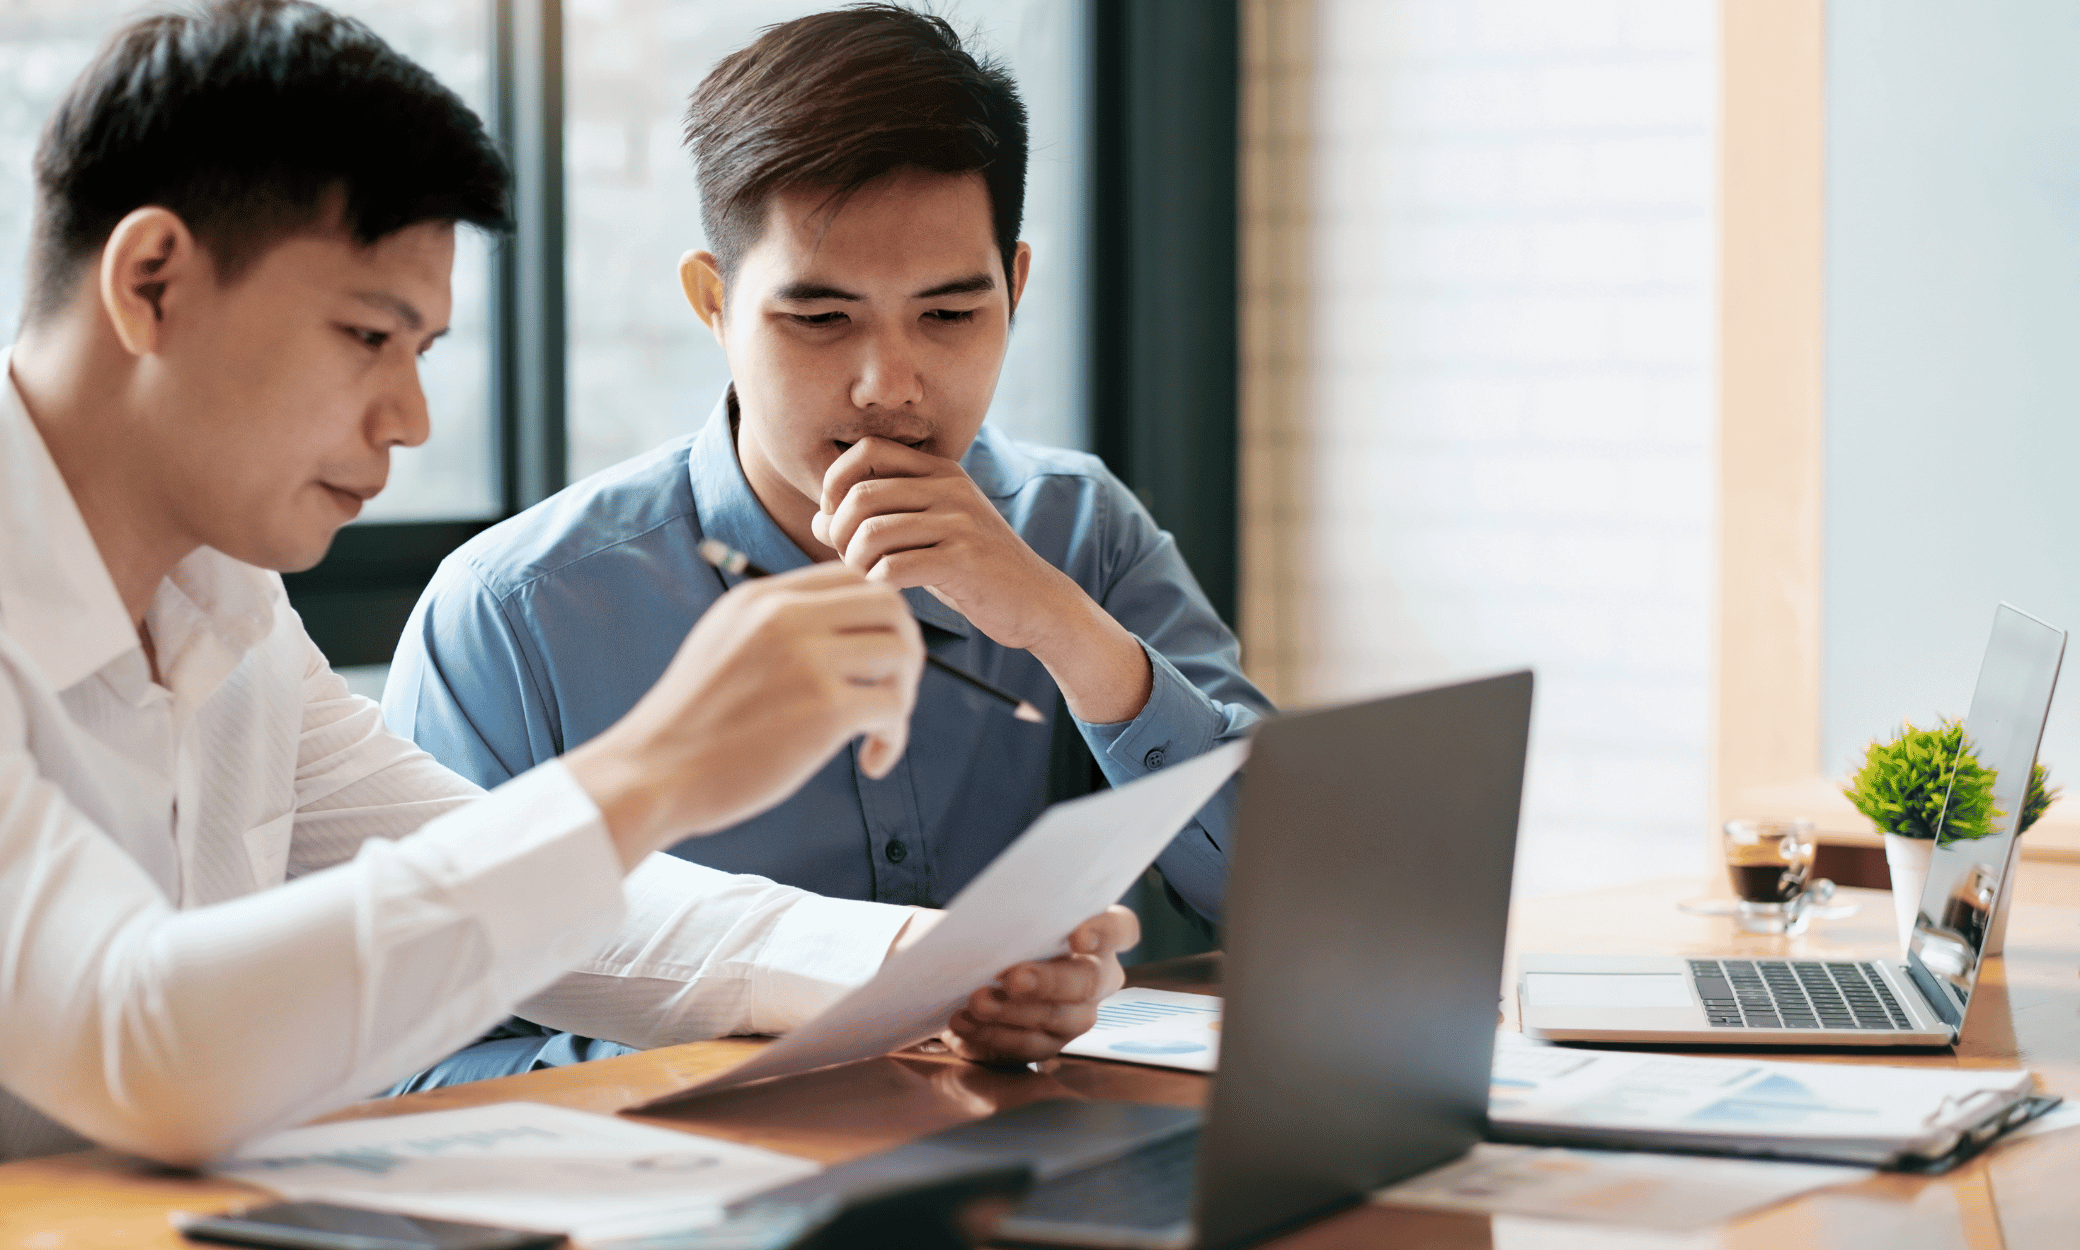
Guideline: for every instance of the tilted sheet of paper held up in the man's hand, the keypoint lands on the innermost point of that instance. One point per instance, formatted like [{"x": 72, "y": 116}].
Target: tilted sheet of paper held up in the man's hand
[{"x": 1072, "y": 864}]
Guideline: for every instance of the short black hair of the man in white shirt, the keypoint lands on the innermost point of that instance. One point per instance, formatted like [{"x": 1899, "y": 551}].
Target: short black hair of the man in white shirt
[{"x": 244, "y": 120}]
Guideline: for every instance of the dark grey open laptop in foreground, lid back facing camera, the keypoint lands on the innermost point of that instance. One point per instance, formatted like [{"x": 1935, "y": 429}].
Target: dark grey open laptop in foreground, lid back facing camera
[{"x": 1370, "y": 889}]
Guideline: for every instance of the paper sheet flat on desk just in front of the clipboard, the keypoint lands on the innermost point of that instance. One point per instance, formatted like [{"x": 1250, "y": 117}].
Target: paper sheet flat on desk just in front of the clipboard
[{"x": 1671, "y": 1193}]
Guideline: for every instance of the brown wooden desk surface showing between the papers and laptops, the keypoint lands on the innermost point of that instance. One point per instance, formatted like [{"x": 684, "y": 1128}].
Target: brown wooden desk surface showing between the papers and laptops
[{"x": 2019, "y": 1197}]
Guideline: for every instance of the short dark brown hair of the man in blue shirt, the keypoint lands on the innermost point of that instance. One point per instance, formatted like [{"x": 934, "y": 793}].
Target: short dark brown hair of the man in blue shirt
[{"x": 841, "y": 99}]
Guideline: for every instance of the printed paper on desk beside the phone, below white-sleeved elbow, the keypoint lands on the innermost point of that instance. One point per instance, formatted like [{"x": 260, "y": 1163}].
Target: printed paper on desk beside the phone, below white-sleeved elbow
[{"x": 521, "y": 1166}]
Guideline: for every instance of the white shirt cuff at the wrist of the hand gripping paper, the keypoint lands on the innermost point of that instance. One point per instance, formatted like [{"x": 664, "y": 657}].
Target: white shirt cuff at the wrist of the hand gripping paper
[{"x": 821, "y": 952}]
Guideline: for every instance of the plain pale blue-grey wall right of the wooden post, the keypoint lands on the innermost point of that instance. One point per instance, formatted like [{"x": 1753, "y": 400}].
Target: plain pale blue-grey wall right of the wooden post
[{"x": 1952, "y": 353}]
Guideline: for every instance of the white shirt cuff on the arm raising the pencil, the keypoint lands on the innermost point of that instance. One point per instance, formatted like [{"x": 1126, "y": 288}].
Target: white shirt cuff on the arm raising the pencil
[{"x": 534, "y": 864}]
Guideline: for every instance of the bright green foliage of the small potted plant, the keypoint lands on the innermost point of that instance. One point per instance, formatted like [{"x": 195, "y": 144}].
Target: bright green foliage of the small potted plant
[{"x": 1906, "y": 783}]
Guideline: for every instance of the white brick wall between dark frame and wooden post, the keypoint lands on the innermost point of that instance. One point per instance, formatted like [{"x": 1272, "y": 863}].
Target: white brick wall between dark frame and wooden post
[{"x": 1513, "y": 392}]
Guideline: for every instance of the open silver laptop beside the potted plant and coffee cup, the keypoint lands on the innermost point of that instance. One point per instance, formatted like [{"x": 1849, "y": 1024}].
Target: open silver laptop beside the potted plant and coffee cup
[{"x": 1915, "y": 1001}]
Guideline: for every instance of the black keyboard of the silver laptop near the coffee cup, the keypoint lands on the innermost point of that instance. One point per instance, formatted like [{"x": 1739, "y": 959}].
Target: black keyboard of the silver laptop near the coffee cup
[{"x": 1794, "y": 995}]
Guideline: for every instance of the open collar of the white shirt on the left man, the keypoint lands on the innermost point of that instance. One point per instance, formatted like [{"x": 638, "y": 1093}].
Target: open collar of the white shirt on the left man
[{"x": 59, "y": 602}]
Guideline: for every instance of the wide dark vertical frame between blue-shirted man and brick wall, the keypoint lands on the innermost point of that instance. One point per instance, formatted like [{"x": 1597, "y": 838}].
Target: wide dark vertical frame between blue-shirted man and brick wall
[{"x": 1164, "y": 251}]
